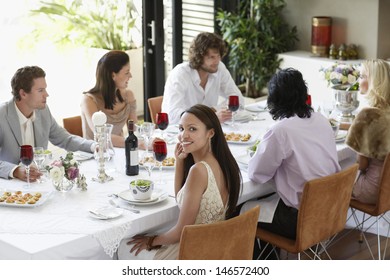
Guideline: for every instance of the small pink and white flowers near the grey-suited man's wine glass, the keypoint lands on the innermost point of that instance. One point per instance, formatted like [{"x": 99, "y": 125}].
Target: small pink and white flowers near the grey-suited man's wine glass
[{"x": 64, "y": 167}]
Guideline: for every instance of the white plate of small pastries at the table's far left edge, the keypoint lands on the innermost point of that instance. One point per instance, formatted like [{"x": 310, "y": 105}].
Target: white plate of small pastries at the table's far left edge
[{"x": 23, "y": 199}]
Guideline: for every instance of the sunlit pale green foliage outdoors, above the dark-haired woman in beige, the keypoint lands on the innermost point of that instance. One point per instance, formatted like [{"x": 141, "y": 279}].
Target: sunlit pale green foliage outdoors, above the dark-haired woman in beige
[{"x": 104, "y": 24}]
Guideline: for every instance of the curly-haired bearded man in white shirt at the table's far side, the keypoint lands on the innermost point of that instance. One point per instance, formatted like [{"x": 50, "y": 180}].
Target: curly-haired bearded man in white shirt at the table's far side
[{"x": 201, "y": 80}]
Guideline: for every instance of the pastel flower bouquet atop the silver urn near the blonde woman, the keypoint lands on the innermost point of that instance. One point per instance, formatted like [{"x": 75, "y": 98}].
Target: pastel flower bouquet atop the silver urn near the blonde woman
[{"x": 341, "y": 74}]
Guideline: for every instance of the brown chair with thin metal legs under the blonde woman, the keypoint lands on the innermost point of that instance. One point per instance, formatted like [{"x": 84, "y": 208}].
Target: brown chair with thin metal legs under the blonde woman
[{"x": 376, "y": 211}]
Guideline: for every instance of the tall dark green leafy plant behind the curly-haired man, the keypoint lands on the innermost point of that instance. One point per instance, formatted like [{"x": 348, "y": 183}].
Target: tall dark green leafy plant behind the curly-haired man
[{"x": 256, "y": 35}]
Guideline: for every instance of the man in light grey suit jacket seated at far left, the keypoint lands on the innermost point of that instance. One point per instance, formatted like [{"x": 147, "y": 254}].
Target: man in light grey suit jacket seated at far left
[{"x": 26, "y": 119}]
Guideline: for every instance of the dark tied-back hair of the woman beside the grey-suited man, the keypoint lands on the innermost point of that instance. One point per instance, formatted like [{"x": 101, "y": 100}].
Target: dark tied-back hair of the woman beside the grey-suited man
[{"x": 111, "y": 62}]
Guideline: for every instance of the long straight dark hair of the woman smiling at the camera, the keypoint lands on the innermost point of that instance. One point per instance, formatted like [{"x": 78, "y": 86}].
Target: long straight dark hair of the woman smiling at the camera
[{"x": 231, "y": 171}]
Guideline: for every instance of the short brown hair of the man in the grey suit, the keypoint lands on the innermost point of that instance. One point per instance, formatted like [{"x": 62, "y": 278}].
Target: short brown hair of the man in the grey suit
[{"x": 24, "y": 79}]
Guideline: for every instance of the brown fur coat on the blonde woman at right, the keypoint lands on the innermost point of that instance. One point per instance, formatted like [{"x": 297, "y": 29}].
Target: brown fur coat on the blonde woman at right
[{"x": 369, "y": 134}]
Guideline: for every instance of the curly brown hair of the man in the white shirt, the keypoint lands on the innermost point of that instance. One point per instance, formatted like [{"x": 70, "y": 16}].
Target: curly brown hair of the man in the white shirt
[{"x": 201, "y": 44}]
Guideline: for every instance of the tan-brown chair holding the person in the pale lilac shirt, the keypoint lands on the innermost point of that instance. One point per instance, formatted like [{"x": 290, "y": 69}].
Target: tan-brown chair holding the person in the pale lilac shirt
[{"x": 321, "y": 215}]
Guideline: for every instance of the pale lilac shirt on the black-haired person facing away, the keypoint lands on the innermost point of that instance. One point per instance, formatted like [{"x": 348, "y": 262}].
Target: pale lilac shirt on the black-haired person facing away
[{"x": 294, "y": 151}]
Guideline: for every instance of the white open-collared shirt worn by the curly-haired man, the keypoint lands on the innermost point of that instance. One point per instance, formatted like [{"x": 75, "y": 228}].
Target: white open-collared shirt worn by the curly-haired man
[{"x": 182, "y": 90}]
